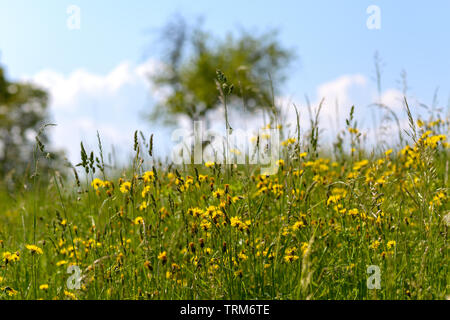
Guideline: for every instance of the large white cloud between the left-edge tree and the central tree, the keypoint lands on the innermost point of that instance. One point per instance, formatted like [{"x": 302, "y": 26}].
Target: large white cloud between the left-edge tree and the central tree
[{"x": 114, "y": 104}]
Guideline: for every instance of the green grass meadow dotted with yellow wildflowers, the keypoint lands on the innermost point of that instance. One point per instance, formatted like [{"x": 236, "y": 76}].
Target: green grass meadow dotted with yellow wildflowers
[{"x": 214, "y": 231}]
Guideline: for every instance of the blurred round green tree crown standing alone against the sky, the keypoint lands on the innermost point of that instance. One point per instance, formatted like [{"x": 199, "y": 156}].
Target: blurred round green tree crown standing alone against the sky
[{"x": 192, "y": 56}]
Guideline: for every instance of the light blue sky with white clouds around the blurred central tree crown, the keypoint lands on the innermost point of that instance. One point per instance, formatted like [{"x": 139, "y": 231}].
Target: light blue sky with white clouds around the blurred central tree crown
[{"x": 334, "y": 47}]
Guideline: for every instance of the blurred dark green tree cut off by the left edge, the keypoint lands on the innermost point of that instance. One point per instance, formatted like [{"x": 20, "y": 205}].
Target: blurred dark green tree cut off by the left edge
[{"x": 23, "y": 110}]
